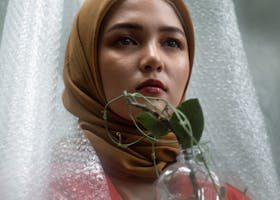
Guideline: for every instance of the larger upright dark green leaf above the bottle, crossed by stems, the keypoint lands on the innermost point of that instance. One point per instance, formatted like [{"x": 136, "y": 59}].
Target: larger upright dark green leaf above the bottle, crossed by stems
[{"x": 193, "y": 111}]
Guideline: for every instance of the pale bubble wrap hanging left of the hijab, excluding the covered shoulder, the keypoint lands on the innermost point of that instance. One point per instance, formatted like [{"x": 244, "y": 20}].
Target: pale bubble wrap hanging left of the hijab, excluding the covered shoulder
[{"x": 30, "y": 101}]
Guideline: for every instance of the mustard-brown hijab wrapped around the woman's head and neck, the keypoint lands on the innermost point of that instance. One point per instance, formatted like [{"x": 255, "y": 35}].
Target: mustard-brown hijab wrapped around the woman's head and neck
[{"x": 84, "y": 97}]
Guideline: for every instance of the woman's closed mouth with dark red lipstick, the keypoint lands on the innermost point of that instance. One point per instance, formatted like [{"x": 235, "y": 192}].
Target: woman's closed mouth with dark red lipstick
[{"x": 151, "y": 87}]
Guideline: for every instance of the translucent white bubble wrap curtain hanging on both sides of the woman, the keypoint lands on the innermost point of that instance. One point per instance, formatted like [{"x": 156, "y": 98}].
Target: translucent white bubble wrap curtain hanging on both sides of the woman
[{"x": 33, "y": 120}]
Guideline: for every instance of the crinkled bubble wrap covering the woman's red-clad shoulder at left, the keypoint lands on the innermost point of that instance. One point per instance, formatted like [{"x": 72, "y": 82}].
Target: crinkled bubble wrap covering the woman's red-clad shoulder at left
[{"x": 76, "y": 172}]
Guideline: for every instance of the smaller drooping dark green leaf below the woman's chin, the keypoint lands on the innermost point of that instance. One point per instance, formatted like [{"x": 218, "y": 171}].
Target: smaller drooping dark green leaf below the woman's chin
[{"x": 153, "y": 124}]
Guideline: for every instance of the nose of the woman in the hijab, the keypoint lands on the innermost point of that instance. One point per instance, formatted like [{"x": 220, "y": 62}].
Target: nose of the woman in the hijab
[{"x": 151, "y": 60}]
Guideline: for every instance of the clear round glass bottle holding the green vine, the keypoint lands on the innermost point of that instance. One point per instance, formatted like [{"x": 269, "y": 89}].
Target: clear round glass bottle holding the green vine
[{"x": 188, "y": 179}]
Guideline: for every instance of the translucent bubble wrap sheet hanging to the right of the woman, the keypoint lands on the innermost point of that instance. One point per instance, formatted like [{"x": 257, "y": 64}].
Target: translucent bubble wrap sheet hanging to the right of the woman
[{"x": 234, "y": 123}]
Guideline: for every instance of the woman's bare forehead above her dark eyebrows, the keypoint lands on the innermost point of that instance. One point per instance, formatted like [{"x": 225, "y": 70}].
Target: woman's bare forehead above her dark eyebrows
[{"x": 151, "y": 12}]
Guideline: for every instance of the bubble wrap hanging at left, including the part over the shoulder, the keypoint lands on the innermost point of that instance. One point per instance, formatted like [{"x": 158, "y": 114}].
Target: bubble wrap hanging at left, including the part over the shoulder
[{"x": 32, "y": 117}]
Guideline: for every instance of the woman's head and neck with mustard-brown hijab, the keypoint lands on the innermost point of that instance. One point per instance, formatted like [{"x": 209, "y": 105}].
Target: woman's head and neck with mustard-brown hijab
[{"x": 144, "y": 46}]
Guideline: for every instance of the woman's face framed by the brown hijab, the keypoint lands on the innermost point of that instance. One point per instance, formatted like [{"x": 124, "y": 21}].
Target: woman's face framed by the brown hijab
[{"x": 143, "y": 48}]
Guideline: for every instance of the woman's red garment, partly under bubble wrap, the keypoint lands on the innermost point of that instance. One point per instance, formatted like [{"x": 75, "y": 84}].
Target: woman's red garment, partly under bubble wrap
[{"x": 84, "y": 186}]
